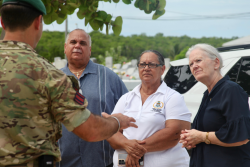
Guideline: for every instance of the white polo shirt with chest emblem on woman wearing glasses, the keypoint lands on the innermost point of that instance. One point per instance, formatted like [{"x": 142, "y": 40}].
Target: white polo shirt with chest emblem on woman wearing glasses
[{"x": 150, "y": 117}]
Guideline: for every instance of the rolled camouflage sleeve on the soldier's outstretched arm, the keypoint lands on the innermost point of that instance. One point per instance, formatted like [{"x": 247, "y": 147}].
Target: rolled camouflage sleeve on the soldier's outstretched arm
[{"x": 63, "y": 98}]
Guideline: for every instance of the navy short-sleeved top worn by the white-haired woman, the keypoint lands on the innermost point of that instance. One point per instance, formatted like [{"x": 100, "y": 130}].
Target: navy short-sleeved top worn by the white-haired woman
[{"x": 225, "y": 111}]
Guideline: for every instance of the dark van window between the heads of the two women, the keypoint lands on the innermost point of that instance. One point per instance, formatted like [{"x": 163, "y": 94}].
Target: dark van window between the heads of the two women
[{"x": 180, "y": 78}]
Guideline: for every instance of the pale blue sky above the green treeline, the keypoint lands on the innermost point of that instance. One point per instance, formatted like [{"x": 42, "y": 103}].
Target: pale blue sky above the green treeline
[{"x": 194, "y": 18}]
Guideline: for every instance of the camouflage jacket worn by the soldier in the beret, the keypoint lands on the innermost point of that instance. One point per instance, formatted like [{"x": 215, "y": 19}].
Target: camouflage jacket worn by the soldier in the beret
[{"x": 35, "y": 98}]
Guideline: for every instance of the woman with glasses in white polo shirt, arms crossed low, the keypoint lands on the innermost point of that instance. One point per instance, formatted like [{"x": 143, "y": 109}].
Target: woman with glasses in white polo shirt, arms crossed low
[{"x": 160, "y": 113}]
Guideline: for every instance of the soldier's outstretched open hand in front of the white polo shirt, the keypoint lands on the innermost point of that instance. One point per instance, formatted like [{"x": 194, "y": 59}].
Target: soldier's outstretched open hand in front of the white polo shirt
[{"x": 125, "y": 121}]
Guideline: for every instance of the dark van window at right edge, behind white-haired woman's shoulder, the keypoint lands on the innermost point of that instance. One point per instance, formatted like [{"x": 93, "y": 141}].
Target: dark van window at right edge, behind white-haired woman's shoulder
[{"x": 240, "y": 73}]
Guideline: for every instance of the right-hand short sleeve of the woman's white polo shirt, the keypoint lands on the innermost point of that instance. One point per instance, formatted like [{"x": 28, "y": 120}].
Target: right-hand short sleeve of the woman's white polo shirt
[{"x": 175, "y": 108}]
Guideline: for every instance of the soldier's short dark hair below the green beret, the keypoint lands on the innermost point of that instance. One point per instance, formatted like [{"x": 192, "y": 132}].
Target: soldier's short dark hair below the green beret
[{"x": 16, "y": 17}]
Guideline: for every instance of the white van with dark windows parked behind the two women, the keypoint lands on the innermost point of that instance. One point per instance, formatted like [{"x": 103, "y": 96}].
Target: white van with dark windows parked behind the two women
[{"x": 236, "y": 64}]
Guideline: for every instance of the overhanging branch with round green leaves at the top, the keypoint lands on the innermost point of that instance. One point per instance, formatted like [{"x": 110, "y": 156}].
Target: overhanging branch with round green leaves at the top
[{"x": 58, "y": 10}]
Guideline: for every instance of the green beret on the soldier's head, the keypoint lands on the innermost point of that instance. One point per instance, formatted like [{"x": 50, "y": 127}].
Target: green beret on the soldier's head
[{"x": 36, "y": 4}]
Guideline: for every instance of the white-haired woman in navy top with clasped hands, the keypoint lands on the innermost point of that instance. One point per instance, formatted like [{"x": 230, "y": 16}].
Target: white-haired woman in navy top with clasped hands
[{"x": 221, "y": 128}]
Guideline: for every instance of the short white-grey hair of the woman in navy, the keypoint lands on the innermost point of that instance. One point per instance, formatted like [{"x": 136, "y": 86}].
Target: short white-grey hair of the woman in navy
[{"x": 210, "y": 51}]
